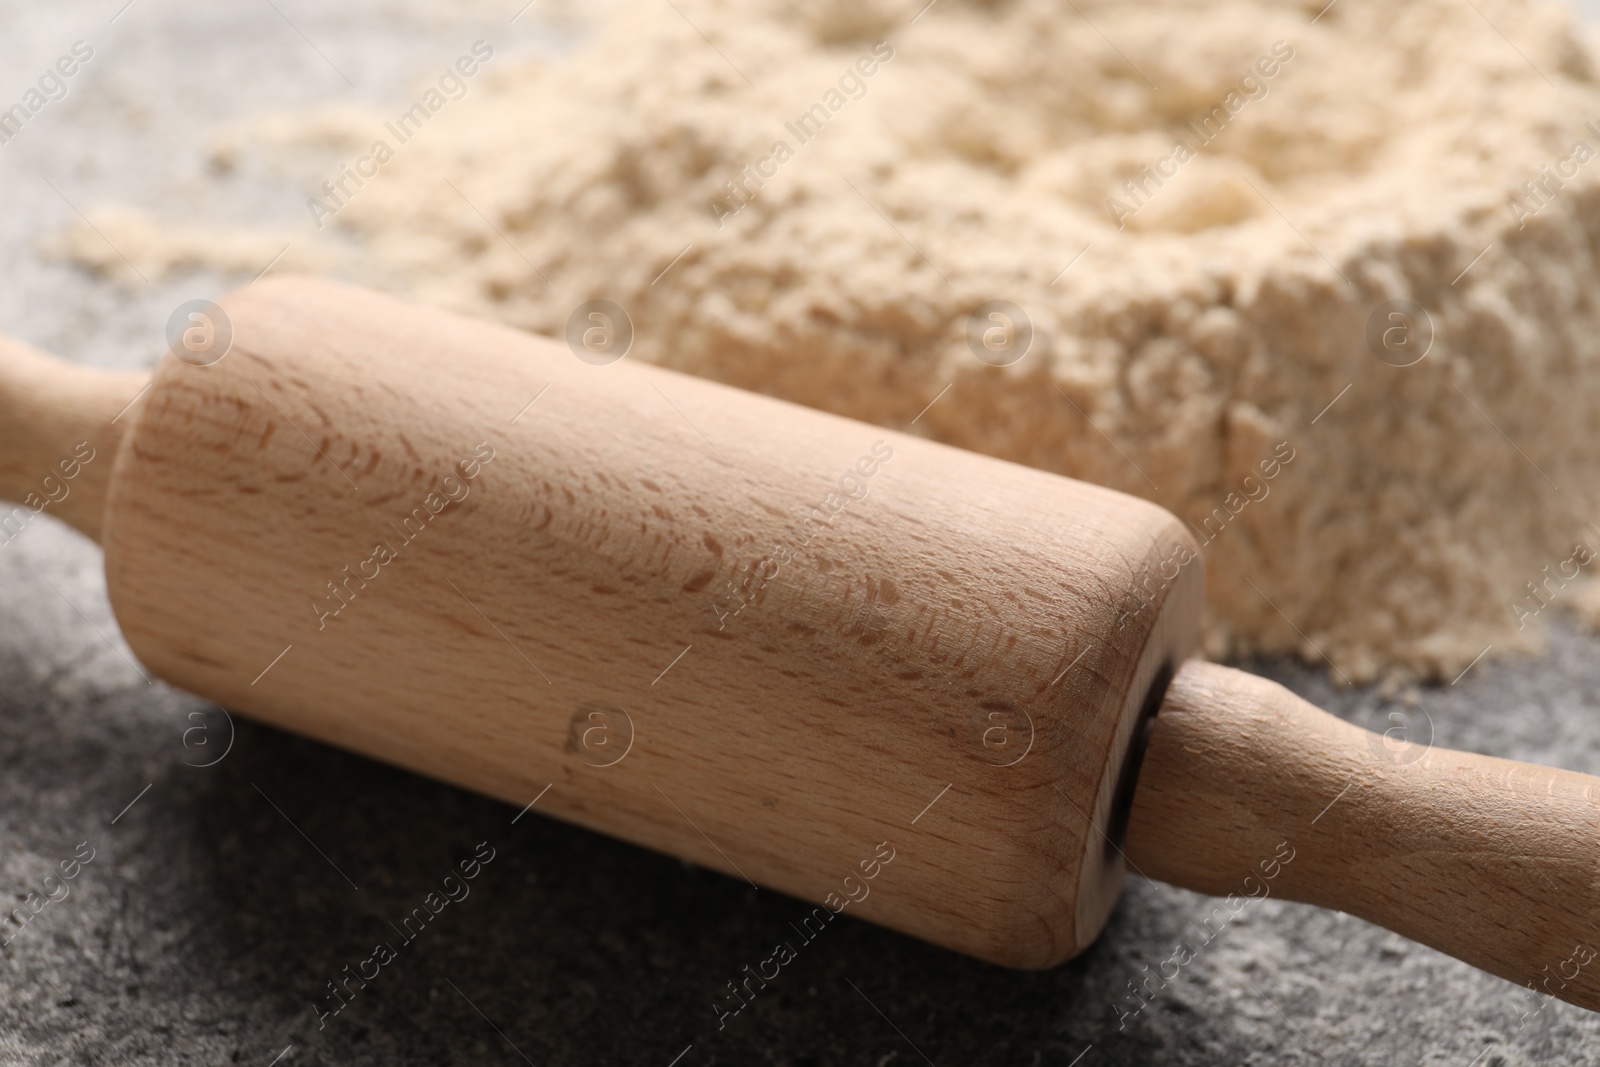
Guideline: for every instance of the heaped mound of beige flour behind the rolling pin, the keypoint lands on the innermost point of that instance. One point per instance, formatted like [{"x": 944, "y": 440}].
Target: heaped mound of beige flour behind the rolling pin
[{"x": 1190, "y": 356}]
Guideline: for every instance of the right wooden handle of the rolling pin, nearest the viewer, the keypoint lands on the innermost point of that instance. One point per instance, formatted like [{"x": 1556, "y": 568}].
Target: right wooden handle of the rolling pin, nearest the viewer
[{"x": 1494, "y": 861}]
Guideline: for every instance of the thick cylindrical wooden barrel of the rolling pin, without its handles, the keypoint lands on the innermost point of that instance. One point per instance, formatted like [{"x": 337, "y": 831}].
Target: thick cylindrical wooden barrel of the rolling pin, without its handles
[{"x": 951, "y": 665}]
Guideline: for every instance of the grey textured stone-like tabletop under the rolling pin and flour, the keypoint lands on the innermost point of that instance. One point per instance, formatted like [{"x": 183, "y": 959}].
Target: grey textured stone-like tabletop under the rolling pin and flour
[{"x": 223, "y": 901}]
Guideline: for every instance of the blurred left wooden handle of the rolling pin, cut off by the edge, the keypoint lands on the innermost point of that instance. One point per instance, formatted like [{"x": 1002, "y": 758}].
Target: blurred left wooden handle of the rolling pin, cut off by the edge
[{"x": 60, "y": 431}]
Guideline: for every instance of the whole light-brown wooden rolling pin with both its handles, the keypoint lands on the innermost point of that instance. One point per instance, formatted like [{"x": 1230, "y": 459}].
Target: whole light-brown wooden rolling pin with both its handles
[{"x": 770, "y": 641}]
